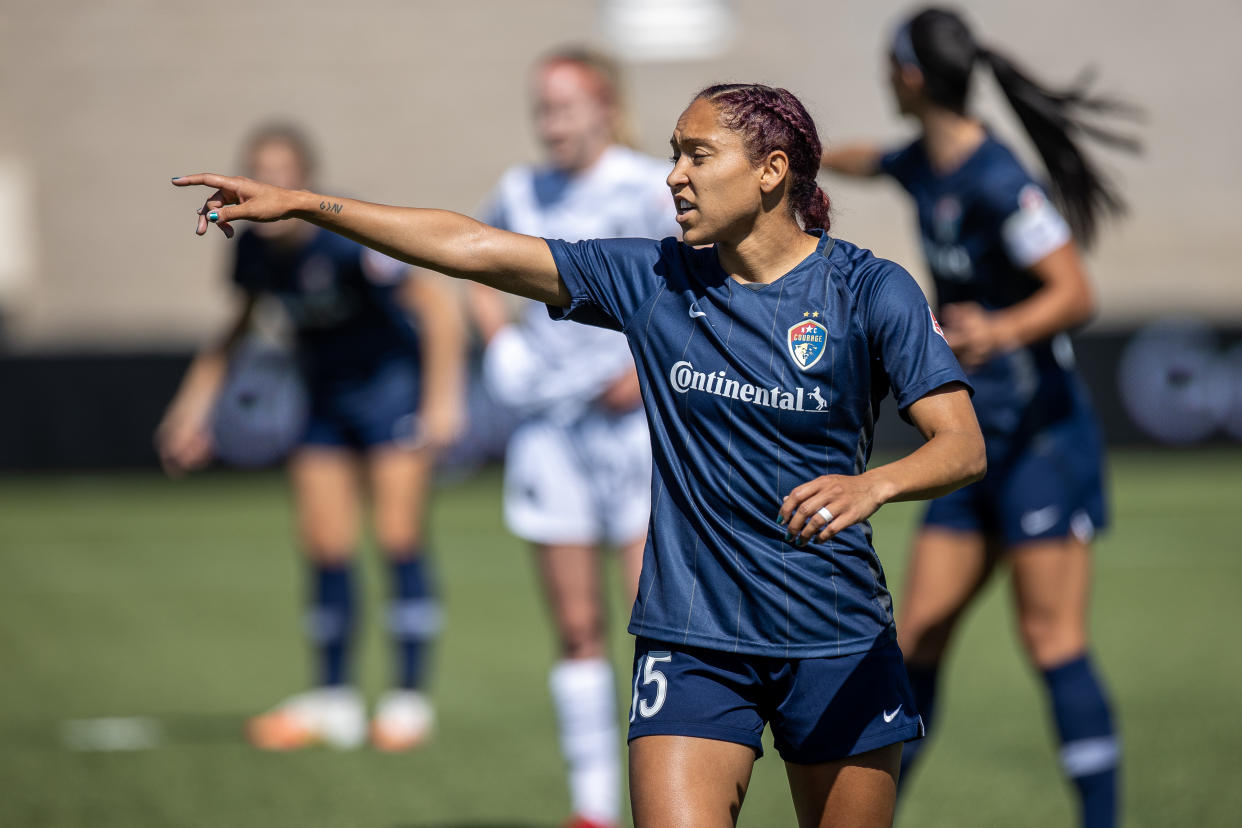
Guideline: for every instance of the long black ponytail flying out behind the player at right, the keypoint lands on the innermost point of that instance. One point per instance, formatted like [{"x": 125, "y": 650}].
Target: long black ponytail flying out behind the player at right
[{"x": 1054, "y": 121}]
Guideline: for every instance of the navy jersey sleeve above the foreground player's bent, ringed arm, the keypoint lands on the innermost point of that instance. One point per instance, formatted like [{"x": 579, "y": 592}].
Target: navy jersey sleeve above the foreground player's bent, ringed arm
[{"x": 907, "y": 340}]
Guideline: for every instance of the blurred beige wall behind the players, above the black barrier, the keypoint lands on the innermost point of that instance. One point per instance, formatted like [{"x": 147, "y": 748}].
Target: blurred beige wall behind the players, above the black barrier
[{"x": 425, "y": 104}]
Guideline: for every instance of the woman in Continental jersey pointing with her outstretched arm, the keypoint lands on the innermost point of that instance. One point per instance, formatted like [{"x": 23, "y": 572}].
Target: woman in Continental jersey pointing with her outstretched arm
[{"x": 762, "y": 600}]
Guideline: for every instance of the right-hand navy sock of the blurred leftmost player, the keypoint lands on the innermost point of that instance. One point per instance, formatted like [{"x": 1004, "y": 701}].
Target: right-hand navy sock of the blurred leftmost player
[{"x": 414, "y": 618}]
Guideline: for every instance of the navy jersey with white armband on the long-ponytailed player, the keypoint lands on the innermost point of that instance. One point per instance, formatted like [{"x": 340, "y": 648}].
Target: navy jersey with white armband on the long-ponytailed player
[{"x": 983, "y": 227}]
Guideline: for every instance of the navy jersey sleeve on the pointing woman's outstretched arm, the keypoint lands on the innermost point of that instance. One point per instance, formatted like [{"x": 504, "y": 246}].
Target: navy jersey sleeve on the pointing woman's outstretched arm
[{"x": 608, "y": 279}]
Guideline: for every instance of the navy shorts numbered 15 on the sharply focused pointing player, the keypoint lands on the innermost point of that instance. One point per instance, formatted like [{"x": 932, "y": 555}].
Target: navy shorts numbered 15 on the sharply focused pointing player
[{"x": 820, "y": 709}]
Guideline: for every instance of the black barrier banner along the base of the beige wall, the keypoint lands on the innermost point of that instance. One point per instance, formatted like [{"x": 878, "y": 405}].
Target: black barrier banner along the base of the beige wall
[{"x": 1168, "y": 383}]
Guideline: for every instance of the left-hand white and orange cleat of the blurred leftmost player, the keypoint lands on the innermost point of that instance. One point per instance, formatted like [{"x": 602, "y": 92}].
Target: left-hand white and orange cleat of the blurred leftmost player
[{"x": 332, "y": 717}]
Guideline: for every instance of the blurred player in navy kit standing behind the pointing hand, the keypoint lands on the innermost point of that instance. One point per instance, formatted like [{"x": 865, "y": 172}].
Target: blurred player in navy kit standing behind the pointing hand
[{"x": 386, "y": 395}]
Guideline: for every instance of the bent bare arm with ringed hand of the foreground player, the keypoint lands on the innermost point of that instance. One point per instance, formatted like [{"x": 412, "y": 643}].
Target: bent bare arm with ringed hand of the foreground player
[{"x": 952, "y": 457}]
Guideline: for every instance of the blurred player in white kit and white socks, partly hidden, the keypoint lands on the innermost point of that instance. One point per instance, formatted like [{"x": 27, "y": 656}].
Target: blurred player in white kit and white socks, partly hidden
[{"x": 578, "y": 467}]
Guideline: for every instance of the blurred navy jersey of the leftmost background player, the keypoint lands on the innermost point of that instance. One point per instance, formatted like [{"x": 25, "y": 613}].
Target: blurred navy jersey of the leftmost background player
[{"x": 341, "y": 297}]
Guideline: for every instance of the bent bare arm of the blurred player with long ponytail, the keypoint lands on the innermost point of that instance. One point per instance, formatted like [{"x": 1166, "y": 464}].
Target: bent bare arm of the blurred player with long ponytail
[{"x": 1064, "y": 301}]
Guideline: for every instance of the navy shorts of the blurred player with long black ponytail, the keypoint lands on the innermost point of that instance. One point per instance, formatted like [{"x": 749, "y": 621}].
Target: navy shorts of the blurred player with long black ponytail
[{"x": 1048, "y": 487}]
